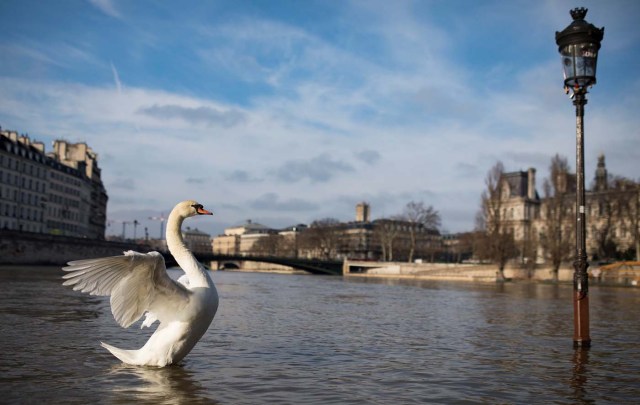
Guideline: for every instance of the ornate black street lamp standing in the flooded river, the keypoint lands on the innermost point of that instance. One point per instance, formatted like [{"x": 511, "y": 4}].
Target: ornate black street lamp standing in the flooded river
[{"x": 578, "y": 45}]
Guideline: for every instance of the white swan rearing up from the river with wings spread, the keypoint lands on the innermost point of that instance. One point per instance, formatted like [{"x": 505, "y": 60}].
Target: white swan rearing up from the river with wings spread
[{"x": 138, "y": 282}]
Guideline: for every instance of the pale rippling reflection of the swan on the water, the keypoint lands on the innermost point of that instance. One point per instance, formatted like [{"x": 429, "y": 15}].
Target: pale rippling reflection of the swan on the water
[{"x": 167, "y": 385}]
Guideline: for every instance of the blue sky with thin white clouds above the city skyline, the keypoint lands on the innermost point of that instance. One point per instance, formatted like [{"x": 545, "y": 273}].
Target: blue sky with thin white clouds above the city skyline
[{"x": 286, "y": 112}]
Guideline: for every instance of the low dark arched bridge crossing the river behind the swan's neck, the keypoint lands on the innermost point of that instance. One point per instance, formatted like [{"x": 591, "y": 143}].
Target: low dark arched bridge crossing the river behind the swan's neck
[{"x": 313, "y": 266}]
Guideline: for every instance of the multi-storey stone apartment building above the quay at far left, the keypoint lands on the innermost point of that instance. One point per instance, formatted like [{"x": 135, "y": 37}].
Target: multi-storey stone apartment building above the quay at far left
[{"x": 56, "y": 193}]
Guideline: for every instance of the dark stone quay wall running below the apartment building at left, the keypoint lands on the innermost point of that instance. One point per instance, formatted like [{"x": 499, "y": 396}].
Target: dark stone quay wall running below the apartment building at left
[{"x": 25, "y": 248}]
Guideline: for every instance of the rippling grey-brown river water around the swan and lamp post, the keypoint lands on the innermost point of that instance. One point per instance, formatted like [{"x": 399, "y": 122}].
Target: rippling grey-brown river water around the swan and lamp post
[{"x": 296, "y": 339}]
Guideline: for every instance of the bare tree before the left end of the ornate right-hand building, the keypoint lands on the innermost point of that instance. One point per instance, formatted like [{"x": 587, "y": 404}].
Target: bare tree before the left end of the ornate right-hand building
[{"x": 497, "y": 242}]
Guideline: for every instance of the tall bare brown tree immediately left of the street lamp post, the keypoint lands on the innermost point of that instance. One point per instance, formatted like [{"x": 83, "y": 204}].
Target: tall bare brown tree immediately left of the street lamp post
[{"x": 559, "y": 228}]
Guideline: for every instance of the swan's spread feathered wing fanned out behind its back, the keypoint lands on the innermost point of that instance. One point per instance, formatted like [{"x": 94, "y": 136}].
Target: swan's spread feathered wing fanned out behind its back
[{"x": 136, "y": 282}]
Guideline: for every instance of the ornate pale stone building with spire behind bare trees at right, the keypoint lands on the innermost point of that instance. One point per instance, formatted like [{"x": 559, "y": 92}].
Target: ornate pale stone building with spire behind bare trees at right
[{"x": 610, "y": 226}]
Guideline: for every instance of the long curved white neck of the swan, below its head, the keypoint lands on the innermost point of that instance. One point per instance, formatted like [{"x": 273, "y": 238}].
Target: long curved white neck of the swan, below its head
[{"x": 184, "y": 257}]
